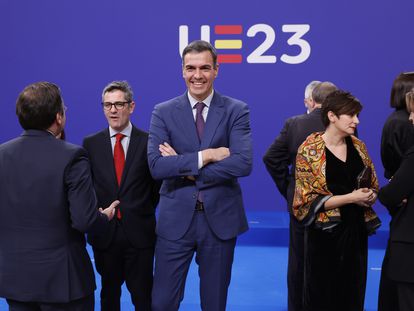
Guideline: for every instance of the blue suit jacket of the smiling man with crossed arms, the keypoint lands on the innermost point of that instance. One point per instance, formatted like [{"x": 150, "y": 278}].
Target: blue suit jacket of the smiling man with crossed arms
[{"x": 227, "y": 125}]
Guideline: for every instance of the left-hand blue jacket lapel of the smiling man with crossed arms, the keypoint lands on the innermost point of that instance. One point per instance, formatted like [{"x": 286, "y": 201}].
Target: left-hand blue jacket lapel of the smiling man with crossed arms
[{"x": 185, "y": 119}]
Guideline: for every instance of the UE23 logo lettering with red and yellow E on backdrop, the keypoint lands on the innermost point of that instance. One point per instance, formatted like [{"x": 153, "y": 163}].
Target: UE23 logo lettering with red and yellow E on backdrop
[{"x": 258, "y": 56}]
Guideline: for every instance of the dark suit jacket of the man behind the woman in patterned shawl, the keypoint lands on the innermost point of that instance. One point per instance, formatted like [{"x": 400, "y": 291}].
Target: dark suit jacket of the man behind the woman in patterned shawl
[{"x": 282, "y": 153}]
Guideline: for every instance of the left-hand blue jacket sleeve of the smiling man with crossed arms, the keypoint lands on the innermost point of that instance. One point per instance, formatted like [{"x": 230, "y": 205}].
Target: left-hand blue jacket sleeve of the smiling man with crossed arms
[{"x": 171, "y": 166}]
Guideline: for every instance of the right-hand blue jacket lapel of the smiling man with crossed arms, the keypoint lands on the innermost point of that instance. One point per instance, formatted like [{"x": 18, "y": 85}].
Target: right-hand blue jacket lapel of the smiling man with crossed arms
[{"x": 215, "y": 116}]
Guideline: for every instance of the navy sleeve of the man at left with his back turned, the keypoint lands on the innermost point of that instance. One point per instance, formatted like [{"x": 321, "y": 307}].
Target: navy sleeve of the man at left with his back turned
[{"x": 81, "y": 196}]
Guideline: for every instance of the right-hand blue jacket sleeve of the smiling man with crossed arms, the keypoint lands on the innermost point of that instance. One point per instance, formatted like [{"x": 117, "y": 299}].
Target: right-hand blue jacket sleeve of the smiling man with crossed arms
[{"x": 239, "y": 163}]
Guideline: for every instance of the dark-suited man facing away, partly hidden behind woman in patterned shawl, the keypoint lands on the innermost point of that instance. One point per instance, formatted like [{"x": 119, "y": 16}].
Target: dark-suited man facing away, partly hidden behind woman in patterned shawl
[{"x": 281, "y": 156}]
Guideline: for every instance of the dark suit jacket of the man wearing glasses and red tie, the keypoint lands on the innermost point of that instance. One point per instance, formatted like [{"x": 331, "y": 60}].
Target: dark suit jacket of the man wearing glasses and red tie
[{"x": 138, "y": 192}]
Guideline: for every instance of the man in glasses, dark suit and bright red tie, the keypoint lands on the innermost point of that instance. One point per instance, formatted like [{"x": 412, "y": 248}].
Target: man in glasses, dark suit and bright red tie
[{"x": 120, "y": 171}]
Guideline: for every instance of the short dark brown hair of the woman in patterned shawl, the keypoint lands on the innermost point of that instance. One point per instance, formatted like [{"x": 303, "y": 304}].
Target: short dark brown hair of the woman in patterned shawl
[{"x": 340, "y": 103}]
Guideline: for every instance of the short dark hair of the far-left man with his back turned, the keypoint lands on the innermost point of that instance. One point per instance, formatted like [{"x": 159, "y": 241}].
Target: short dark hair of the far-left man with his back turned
[{"x": 38, "y": 104}]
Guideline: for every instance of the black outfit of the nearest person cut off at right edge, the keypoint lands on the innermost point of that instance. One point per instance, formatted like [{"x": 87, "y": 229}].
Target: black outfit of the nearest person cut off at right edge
[{"x": 396, "y": 290}]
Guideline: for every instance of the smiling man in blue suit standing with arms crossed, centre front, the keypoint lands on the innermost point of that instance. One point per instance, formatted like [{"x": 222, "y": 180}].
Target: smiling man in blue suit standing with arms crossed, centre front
[{"x": 199, "y": 144}]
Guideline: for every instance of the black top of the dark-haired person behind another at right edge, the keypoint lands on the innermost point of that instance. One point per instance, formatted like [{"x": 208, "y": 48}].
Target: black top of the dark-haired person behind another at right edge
[{"x": 397, "y": 137}]
